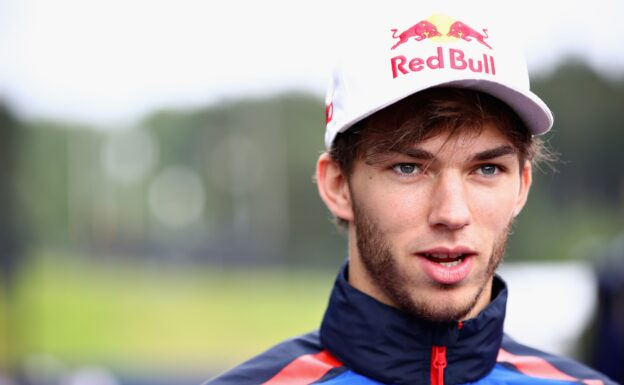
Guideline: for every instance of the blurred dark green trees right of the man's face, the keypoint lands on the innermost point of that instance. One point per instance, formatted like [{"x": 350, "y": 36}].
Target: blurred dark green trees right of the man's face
[{"x": 584, "y": 198}]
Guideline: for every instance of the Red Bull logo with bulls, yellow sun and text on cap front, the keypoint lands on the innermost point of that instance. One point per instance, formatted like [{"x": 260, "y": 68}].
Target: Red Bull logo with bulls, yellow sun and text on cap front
[{"x": 451, "y": 57}]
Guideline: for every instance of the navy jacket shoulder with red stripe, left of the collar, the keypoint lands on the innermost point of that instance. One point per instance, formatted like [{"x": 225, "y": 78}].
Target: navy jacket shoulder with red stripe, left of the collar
[{"x": 301, "y": 360}]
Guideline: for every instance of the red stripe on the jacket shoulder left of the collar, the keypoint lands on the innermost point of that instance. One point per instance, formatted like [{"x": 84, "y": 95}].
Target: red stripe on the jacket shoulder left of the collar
[{"x": 305, "y": 369}]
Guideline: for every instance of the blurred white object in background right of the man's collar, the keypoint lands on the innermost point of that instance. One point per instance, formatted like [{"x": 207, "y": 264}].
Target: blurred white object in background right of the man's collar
[{"x": 550, "y": 304}]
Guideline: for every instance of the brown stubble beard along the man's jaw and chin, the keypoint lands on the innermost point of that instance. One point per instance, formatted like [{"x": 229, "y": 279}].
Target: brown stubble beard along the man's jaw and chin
[{"x": 382, "y": 267}]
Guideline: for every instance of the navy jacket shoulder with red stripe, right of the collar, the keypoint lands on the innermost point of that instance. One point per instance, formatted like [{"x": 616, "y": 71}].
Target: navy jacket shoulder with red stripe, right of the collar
[{"x": 540, "y": 365}]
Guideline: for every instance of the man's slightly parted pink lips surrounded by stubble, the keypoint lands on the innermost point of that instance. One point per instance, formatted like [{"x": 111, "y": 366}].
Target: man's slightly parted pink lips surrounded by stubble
[{"x": 447, "y": 275}]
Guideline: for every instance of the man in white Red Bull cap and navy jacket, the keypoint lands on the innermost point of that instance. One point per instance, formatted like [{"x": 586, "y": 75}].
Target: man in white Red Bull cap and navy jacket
[{"x": 431, "y": 136}]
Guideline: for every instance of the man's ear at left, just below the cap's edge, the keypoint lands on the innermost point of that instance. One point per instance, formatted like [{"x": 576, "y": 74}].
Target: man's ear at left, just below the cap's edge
[{"x": 333, "y": 187}]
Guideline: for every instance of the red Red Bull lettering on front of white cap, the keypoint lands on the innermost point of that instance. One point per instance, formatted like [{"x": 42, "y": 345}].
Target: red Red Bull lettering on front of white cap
[{"x": 455, "y": 58}]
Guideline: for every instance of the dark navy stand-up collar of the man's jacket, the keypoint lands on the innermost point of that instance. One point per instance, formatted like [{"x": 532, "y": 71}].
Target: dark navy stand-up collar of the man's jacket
[{"x": 386, "y": 344}]
